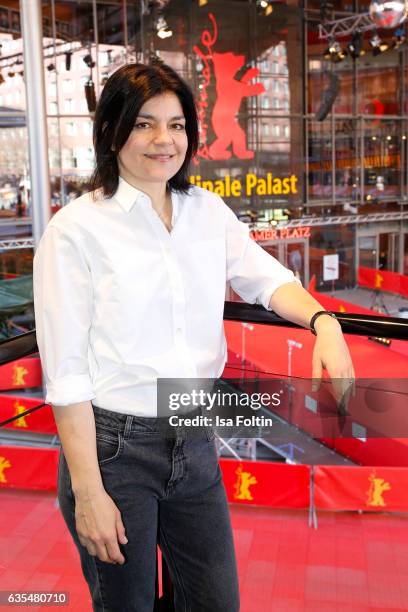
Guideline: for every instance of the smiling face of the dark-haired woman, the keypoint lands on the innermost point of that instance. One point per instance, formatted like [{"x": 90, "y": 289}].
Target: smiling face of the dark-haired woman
[{"x": 156, "y": 147}]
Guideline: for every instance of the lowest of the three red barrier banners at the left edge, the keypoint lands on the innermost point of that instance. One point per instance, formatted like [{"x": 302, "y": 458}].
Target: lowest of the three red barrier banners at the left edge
[{"x": 28, "y": 468}]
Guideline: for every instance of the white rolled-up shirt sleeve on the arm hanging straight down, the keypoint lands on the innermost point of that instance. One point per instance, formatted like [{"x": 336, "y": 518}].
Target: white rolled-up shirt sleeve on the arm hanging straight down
[{"x": 63, "y": 314}]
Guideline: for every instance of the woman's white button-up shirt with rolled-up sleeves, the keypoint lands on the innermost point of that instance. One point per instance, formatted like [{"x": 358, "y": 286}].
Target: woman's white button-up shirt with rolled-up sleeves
[{"x": 120, "y": 301}]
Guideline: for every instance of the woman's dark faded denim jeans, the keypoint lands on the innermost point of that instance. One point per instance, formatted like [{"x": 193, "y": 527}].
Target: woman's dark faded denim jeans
[{"x": 169, "y": 492}]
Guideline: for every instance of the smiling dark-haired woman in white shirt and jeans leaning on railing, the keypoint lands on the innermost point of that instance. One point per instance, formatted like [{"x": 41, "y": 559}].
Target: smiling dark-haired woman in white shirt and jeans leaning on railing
[{"x": 129, "y": 285}]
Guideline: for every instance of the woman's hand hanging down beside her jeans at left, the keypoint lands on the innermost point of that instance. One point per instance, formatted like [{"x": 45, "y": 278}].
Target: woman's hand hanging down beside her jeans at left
[{"x": 99, "y": 525}]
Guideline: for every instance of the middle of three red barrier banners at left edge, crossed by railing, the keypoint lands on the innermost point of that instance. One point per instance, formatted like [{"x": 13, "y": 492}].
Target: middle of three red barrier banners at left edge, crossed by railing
[{"x": 40, "y": 421}]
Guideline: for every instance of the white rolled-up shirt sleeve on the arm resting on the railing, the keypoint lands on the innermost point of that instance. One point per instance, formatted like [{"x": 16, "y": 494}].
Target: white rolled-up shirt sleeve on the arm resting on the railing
[{"x": 252, "y": 272}]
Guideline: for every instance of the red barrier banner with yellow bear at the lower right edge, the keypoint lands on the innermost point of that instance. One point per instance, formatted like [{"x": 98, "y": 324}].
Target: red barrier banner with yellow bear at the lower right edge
[{"x": 361, "y": 488}]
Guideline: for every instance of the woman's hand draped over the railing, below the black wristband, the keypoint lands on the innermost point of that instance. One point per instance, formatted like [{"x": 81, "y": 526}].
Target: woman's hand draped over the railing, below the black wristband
[{"x": 331, "y": 353}]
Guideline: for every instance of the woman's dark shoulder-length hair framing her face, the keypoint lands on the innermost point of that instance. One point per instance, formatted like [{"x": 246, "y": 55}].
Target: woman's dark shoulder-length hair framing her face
[{"x": 122, "y": 97}]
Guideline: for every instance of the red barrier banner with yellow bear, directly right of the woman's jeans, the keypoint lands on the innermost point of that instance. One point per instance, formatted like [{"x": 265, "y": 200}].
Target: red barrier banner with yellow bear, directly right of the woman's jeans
[{"x": 263, "y": 483}]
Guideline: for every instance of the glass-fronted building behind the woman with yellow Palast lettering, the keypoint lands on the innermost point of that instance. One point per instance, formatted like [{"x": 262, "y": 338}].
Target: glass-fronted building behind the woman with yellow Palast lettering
[{"x": 260, "y": 73}]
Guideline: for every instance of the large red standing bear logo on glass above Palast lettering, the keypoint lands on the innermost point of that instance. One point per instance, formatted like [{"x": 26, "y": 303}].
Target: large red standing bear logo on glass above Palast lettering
[{"x": 229, "y": 96}]
